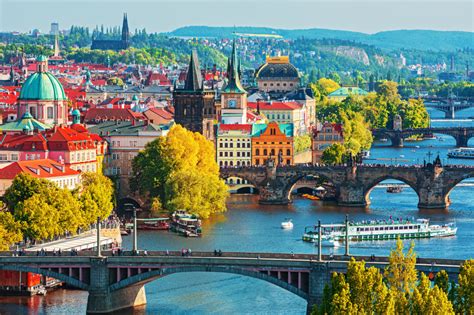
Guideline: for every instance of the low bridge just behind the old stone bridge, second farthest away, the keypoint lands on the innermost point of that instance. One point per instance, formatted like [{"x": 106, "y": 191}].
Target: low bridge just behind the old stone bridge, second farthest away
[{"x": 460, "y": 134}]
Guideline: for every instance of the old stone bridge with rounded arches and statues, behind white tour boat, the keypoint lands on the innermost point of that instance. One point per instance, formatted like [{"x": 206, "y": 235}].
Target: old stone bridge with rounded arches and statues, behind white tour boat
[{"x": 353, "y": 183}]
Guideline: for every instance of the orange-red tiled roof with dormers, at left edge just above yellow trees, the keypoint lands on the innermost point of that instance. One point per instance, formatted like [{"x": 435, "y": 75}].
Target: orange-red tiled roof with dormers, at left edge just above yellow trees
[{"x": 44, "y": 168}]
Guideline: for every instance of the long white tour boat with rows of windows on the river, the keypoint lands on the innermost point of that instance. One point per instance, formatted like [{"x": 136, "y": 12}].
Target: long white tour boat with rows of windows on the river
[{"x": 388, "y": 230}]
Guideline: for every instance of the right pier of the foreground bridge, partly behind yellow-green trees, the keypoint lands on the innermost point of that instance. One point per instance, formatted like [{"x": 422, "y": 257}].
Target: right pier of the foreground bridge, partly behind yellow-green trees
[{"x": 319, "y": 277}]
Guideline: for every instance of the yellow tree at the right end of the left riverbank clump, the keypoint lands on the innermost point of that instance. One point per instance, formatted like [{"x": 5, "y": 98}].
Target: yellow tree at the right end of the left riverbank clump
[{"x": 96, "y": 196}]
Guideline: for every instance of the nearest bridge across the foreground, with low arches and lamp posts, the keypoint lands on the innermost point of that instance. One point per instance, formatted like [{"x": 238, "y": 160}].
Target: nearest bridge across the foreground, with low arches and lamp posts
[{"x": 117, "y": 282}]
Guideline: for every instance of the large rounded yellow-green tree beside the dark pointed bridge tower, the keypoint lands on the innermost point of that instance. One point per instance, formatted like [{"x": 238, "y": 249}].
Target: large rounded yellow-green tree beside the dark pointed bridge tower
[{"x": 180, "y": 170}]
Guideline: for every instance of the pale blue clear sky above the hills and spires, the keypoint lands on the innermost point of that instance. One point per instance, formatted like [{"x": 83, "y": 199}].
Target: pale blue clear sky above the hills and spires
[{"x": 368, "y": 16}]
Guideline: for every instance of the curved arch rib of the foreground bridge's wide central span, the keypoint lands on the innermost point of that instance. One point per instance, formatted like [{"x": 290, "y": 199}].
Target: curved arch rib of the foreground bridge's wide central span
[{"x": 162, "y": 272}]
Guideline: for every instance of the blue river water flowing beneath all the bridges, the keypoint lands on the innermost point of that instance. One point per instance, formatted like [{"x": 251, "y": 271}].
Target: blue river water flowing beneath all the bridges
[{"x": 248, "y": 226}]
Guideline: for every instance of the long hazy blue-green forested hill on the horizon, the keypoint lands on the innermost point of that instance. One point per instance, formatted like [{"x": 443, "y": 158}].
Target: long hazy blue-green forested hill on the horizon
[{"x": 408, "y": 39}]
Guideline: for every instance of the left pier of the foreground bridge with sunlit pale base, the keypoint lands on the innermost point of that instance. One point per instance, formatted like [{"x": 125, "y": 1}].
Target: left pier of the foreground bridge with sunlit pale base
[{"x": 101, "y": 300}]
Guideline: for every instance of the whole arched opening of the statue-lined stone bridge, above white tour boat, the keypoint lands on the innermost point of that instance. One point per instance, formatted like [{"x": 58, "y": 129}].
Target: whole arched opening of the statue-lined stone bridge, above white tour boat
[{"x": 388, "y": 192}]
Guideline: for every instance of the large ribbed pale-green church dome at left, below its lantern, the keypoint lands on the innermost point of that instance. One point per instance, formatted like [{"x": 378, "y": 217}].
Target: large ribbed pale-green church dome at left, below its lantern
[{"x": 42, "y": 86}]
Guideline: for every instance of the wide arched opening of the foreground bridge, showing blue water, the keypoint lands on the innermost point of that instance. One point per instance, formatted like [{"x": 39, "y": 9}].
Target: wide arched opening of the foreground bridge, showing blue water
[{"x": 224, "y": 288}]
